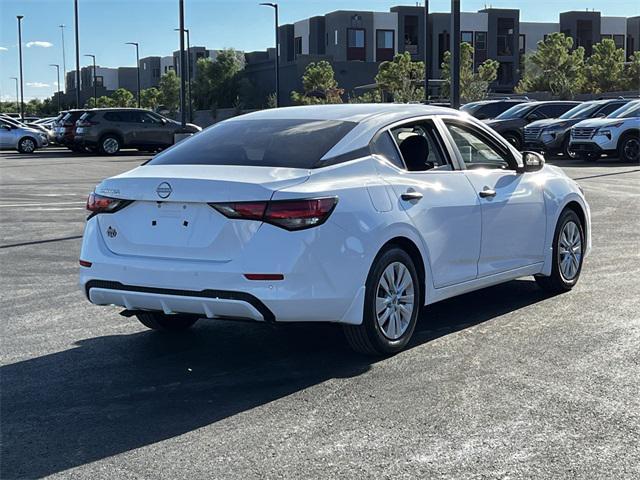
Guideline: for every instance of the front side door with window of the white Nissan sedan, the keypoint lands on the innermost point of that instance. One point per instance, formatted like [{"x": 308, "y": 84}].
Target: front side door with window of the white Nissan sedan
[{"x": 513, "y": 210}]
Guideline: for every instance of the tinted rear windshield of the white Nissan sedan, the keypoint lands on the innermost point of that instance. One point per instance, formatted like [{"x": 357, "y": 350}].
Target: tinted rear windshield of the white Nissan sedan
[{"x": 260, "y": 143}]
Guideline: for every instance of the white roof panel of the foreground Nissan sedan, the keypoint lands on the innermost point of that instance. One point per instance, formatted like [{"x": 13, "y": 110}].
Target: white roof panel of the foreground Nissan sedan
[{"x": 358, "y": 113}]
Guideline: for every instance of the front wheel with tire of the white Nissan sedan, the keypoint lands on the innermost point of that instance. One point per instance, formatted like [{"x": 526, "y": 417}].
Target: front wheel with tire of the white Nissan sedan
[{"x": 568, "y": 254}]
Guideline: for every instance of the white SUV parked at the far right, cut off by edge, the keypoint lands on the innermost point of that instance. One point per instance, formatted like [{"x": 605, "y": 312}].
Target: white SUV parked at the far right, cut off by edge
[{"x": 618, "y": 134}]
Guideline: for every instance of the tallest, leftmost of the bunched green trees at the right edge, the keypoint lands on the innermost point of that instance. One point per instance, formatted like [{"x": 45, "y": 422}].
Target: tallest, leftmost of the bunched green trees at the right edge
[{"x": 554, "y": 68}]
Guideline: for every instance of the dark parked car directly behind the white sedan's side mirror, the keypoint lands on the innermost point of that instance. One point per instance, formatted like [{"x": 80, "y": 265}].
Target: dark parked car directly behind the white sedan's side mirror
[{"x": 510, "y": 124}]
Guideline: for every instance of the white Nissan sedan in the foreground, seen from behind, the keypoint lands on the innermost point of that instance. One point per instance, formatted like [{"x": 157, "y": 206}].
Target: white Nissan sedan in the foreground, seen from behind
[{"x": 356, "y": 214}]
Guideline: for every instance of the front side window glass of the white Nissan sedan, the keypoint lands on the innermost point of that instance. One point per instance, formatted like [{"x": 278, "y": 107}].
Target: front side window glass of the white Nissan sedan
[{"x": 476, "y": 150}]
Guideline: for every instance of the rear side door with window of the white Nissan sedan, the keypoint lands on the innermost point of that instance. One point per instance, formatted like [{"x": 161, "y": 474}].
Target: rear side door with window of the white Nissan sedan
[{"x": 437, "y": 198}]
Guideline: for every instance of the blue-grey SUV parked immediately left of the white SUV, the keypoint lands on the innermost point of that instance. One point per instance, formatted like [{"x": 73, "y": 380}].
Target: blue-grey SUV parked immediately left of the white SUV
[{"x": 552, "y": 136}]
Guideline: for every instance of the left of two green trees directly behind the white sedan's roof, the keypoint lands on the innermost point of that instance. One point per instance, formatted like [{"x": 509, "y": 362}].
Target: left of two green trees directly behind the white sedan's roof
[{"x": 319, "y": 84}]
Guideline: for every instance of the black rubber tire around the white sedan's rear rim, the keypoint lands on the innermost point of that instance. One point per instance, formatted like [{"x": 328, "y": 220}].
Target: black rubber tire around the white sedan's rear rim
[{"x": 368, "y": 338}]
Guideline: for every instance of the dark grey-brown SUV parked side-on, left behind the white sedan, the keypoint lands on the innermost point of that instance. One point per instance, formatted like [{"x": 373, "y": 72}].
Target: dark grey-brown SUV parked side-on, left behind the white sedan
[{"x": 107, "y": 130}]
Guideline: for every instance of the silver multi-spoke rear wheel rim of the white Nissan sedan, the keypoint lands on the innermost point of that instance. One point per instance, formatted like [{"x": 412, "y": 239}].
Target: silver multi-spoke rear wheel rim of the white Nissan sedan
[{"x": 394, "y": 300}]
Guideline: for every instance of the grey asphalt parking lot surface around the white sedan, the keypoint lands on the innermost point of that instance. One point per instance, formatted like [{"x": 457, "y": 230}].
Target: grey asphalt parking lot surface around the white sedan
[{"x": 502, "y": 383}]
